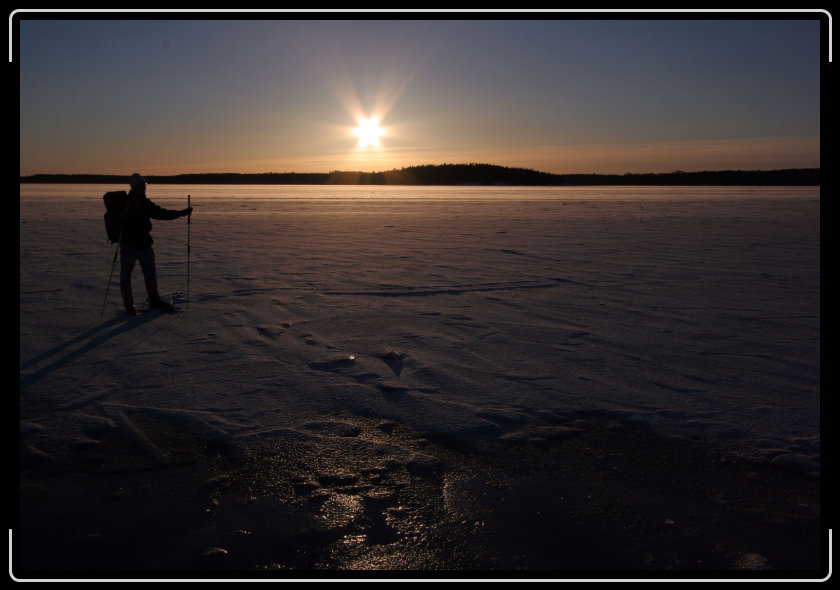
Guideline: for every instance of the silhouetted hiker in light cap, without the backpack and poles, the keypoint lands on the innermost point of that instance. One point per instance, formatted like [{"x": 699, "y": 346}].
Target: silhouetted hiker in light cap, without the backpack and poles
[{"x": 136, "y": 244}]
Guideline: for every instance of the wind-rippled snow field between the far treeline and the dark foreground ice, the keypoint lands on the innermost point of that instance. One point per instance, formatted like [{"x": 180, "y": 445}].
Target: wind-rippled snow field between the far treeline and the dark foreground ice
[{"x": 497, "y": 313}]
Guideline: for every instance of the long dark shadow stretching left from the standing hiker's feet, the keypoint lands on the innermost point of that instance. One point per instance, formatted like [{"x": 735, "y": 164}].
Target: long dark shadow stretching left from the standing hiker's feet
[{"x": 62, "y": 354}]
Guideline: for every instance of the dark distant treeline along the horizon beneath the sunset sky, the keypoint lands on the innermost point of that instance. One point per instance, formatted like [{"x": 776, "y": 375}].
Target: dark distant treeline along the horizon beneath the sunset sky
[{"x": 465, "y": 174}]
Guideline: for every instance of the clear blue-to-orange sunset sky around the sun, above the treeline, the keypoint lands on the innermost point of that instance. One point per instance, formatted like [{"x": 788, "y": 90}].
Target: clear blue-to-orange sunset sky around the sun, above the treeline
[{"x": 556, "y": 95}]
